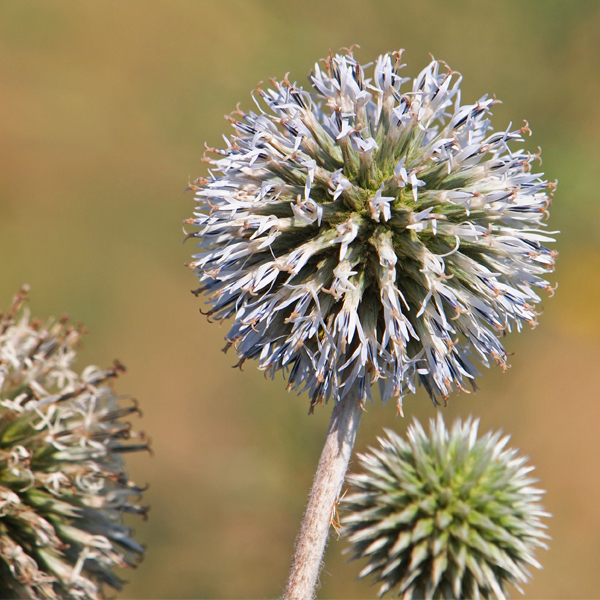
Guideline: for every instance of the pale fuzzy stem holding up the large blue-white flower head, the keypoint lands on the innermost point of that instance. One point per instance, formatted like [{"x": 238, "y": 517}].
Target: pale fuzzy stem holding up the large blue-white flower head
[{"x": 323, "y": 498}]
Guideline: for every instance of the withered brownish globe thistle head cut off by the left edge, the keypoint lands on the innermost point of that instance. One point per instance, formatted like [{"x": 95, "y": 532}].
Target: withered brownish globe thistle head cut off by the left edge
[{"x": 63, "y": 484}]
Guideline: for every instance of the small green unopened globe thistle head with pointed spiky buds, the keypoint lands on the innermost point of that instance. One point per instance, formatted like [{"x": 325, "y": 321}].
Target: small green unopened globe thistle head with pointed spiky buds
[{"x": 444, "y": 514}]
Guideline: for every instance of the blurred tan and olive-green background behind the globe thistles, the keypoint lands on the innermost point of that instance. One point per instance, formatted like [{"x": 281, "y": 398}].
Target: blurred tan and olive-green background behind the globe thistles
[{"x": 104, "y": 110}]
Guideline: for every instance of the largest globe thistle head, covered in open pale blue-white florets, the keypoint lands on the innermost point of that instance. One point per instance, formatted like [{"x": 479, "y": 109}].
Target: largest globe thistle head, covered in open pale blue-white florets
[{"x": 363, "y": 233}]
